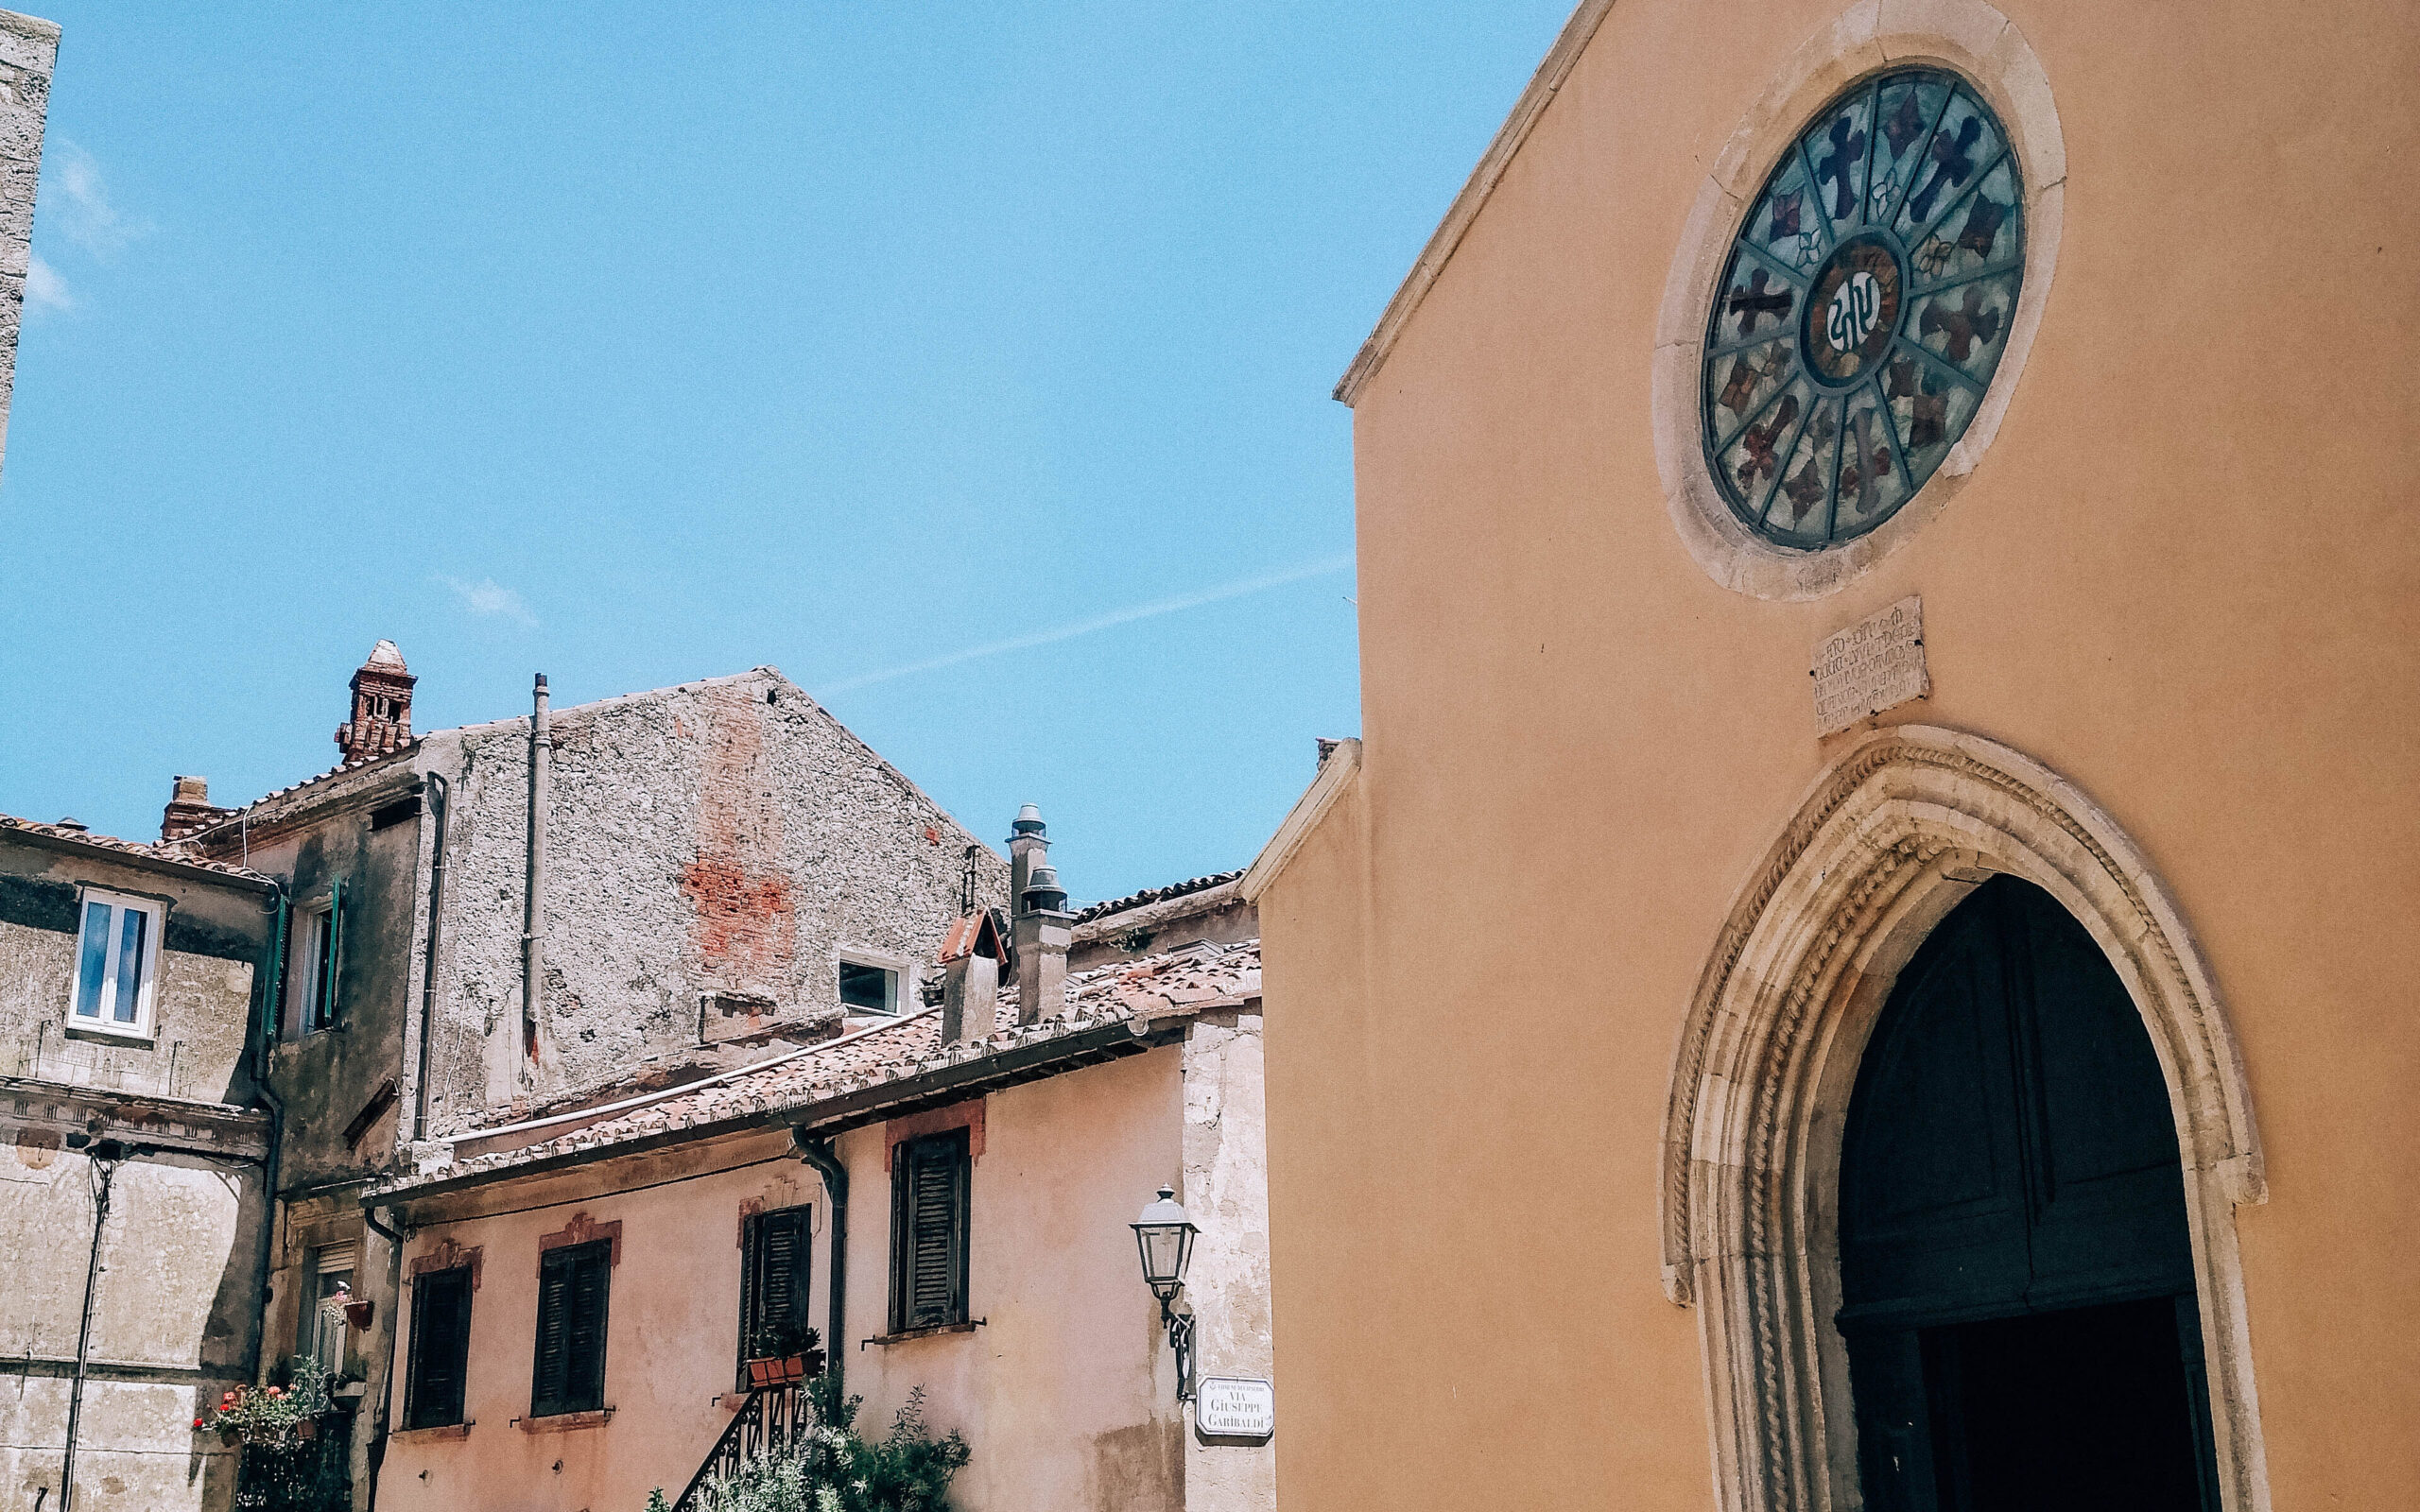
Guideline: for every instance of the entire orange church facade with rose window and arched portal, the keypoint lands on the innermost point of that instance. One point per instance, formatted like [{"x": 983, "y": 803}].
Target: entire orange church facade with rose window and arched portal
[{"x": 1862, "y": 954}]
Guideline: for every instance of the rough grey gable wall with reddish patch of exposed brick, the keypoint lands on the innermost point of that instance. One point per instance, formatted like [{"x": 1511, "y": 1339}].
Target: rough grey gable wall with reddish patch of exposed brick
[{"x": 698, "y": 841}]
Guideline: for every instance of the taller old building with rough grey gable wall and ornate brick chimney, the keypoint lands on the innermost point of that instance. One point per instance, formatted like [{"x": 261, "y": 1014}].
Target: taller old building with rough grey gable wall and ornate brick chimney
[{"x": 715, "y": 875}]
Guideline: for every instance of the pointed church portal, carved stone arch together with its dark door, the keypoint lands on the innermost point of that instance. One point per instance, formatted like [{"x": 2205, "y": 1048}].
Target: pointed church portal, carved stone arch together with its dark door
[{"x": 1906, "y": 841}]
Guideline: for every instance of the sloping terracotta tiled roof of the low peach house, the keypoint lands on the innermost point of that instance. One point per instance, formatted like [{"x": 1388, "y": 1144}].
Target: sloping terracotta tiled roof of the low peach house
[{"x": 1156, "y": 988}]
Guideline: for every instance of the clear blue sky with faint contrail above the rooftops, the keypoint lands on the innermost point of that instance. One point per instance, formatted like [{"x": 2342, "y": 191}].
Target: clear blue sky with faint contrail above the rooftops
[{"x": 972, "y": 369}]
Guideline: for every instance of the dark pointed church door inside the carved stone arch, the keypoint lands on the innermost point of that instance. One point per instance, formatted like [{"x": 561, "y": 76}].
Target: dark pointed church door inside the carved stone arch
[{"x": 2015, "y": 1250}]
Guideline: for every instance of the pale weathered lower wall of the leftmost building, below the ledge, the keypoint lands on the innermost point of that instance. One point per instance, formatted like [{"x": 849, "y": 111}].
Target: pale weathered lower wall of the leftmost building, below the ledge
[{"x": 175, "y": 1291}]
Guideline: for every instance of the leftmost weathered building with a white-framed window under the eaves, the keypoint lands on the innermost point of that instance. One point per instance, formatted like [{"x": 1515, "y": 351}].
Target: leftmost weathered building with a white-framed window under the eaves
[{"x": 134, "y": 1165}]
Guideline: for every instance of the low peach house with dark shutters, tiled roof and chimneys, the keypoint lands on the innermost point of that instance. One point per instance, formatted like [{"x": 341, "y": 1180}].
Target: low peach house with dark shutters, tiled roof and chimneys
[{"x": 945, "y": 1196}]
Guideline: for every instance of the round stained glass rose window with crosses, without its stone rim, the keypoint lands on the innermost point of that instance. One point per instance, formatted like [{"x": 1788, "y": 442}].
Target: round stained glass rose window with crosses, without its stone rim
[{"x": 1865, "y": 308}]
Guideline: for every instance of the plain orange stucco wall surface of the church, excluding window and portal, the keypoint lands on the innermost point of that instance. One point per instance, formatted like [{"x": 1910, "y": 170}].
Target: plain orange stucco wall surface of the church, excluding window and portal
[{"x": 2182, "y": 579}]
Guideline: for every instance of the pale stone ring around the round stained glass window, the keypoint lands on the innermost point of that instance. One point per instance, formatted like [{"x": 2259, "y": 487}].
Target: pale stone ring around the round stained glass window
[{"x": 1966, "y": 37}]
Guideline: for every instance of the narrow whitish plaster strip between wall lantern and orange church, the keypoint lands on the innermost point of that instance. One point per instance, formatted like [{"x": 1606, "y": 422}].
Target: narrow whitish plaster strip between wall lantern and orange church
[{"x": 1226, "y": 1191}]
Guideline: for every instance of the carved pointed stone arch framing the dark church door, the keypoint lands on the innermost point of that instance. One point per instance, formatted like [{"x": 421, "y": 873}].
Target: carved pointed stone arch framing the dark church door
[{"x": 1886, "y": 843}]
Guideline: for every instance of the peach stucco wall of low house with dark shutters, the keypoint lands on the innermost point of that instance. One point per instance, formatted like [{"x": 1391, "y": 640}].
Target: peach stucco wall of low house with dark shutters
[{"x": 1066, "y": 1392}]
